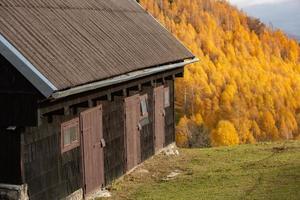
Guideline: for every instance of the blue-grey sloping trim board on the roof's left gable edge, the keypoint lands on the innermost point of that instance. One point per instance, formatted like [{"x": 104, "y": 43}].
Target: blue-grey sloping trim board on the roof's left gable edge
[{"x": 38, "y": 80}]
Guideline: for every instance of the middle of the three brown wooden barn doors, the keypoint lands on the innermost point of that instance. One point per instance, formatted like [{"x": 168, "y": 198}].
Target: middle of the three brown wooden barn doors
[{"x": 133, "y": 149}]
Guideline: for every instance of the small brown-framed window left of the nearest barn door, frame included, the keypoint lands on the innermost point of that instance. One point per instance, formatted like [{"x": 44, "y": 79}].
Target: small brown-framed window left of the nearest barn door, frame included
[{"x": 70, "y": 135}]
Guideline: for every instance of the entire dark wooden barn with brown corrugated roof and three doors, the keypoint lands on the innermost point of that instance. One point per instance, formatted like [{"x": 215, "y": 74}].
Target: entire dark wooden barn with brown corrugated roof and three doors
[{"x": 86, "y": 94}]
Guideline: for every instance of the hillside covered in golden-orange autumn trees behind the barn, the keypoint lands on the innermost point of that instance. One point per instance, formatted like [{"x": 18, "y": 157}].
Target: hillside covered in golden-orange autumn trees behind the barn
[{"x": 245, "y": 89}]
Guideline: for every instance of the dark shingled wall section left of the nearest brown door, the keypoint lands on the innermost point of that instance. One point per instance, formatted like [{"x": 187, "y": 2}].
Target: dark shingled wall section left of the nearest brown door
[{"x": 48, "y": 173}]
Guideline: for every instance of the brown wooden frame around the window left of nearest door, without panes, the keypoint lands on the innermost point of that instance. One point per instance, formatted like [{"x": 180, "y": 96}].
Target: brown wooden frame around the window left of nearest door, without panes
[{"x": 67, "y": 125}]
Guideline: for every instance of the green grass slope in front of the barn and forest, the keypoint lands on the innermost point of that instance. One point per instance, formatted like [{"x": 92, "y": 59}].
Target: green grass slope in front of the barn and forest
[{"x": 261, "y": 171}]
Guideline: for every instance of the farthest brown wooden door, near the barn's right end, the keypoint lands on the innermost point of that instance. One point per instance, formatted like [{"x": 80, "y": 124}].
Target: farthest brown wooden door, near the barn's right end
[{"x": 159, "y": 119}]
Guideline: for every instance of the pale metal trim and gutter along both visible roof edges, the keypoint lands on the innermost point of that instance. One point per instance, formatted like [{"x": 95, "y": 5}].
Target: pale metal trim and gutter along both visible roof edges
[{"x": 45, "y": 87}]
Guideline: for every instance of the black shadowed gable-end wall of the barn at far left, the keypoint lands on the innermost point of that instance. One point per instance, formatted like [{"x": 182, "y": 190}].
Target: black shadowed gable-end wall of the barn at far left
[{"x": 18, "y": 105}]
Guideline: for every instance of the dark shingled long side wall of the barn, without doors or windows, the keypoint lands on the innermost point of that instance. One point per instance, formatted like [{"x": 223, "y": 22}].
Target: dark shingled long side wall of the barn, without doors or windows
[{"x": 52, "y": 175}]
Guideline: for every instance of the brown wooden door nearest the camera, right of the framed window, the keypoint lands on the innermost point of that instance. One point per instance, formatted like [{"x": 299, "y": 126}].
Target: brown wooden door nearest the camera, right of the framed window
[{"x": 92, "y": 149}]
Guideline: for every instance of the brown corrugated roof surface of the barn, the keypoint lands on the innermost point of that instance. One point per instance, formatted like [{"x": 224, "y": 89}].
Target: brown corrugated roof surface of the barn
[{"x": 74, "y": 42}]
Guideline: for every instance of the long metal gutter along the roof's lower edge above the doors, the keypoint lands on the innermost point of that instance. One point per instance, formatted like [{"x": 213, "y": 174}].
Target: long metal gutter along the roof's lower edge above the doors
[{"x": 120, "y": 79}]
